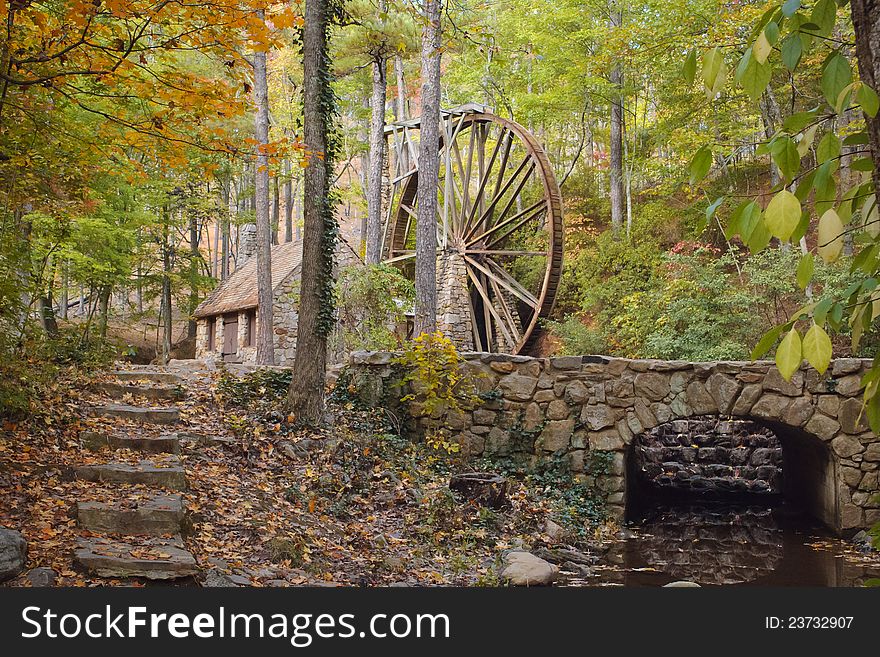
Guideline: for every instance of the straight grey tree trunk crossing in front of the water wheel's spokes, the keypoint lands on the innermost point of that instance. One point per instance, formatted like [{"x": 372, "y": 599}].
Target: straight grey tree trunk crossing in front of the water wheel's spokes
[{"x": 429, "y": 166}]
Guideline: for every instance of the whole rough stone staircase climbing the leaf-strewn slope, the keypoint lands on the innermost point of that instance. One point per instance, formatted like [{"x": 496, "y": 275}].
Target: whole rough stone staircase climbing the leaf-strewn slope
[{"x": 136, "y": 535}]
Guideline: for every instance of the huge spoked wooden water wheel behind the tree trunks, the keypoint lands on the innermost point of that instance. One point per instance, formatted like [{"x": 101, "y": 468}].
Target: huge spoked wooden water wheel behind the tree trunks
[{"x": 499, "y": 228}]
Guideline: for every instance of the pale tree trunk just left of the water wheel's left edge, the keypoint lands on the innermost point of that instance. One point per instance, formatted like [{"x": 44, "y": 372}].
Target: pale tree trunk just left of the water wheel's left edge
[{"x": 377, "y": 158}]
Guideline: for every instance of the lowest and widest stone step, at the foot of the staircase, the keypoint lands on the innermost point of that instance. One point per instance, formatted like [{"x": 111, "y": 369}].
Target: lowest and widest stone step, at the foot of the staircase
[{"x": 152, "y": 558}]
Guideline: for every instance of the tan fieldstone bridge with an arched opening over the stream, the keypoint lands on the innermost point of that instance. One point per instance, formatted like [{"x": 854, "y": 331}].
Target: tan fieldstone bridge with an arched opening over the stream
[{"x": 583, "y": 407}]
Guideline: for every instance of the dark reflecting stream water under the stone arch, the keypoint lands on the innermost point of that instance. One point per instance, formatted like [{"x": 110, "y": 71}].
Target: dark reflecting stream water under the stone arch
[{"x": 723, "y": 543}]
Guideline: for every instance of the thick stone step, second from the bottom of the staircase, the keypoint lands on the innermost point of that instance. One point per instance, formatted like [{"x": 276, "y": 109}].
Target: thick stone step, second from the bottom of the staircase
[{"x": 161, "y": 514}]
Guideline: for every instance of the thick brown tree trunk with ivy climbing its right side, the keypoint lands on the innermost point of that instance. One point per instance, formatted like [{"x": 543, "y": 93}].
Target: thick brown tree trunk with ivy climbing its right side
[{"x": 306, "y": 395}]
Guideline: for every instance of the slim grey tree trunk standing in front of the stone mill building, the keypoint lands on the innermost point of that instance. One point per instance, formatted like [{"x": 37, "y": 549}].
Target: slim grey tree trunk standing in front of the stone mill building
[{"x": 265, "y": 323}]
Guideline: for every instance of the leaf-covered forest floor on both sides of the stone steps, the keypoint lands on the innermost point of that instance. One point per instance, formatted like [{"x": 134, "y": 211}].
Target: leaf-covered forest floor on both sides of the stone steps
[{"x": 273, "y": 506}]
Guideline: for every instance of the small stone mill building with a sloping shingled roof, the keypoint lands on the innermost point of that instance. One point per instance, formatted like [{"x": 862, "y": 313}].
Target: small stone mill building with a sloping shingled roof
[{"x": 226, "y": 321}]
